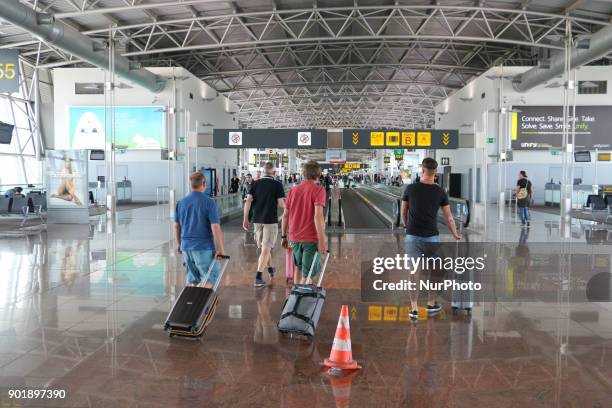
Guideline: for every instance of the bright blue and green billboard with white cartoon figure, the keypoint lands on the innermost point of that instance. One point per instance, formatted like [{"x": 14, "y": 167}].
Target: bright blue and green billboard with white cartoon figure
[{"x": 137, "y": 127}]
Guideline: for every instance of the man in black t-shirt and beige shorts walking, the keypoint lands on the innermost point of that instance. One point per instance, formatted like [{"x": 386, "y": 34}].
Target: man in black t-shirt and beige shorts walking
[{"x": 265, "y": 197}]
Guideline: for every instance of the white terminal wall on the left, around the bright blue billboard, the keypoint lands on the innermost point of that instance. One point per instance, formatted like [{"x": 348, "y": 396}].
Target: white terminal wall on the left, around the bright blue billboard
[{"x": 145, "y": 168}]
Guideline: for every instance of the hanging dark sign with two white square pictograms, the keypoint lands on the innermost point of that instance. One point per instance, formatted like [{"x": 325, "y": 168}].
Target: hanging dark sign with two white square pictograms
[{"x": 270, "y": 138}]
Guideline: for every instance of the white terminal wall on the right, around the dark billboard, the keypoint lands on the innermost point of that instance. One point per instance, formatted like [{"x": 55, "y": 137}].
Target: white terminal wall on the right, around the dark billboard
[{"x": 472, "y": 110}]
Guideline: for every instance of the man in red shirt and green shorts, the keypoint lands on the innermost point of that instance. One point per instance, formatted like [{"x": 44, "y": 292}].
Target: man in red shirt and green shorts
[{"x": 304, "y": 219}]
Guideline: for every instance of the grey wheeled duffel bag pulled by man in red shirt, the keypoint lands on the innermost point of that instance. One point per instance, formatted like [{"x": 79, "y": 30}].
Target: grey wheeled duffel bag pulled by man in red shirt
[{"x": 302, "y": 308}]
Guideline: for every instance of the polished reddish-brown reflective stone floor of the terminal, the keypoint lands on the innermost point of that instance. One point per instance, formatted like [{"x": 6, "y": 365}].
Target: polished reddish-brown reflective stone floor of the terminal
[{"x": 78, "y": 316}]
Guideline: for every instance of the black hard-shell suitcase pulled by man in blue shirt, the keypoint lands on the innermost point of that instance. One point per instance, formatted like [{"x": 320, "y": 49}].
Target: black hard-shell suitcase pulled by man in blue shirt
[{"x": 195, "y": 307}]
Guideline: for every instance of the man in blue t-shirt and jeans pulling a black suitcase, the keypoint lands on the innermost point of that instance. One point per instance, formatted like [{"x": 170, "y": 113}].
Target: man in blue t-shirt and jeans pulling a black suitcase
[{"x": 198, "y": 233}]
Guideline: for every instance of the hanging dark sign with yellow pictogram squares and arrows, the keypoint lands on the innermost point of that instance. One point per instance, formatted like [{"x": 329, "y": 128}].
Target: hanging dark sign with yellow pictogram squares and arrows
[{"x": 395, "y": 138}]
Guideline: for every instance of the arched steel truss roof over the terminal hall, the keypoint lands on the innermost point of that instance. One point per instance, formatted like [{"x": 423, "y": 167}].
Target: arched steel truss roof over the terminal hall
[{"x": 328, "y": 64}]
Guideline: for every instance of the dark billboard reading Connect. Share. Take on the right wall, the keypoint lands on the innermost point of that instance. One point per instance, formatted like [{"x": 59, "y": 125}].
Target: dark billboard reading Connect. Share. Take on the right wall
[{"x": 541, "y": 127}]
